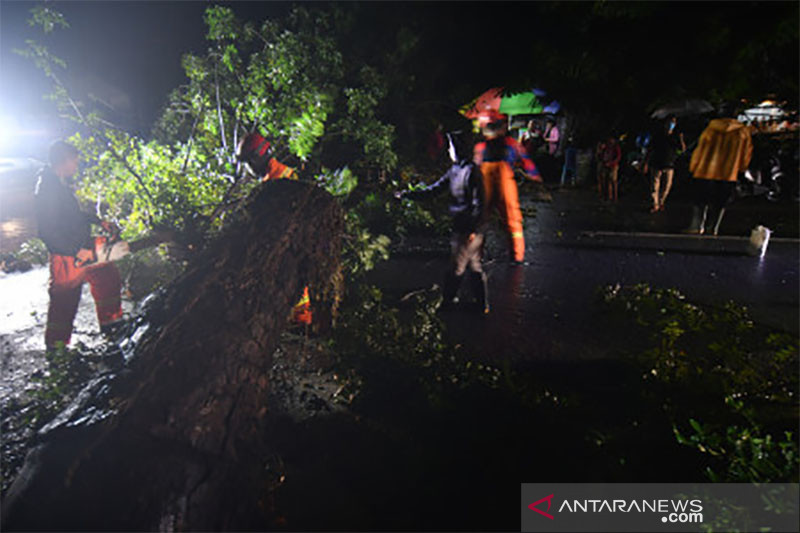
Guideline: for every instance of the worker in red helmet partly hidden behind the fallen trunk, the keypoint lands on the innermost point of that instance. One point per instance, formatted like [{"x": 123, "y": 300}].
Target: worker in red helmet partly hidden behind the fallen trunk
[{"x": 256, "y": 153}]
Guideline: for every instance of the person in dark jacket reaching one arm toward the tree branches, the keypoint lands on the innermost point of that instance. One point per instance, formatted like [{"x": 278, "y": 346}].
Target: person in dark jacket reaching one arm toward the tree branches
[{"x": 464, "y": 182}]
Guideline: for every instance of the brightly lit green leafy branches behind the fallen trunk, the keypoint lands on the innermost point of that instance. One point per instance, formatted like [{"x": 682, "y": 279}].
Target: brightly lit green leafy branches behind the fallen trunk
[{"x": 285, "y": 78}]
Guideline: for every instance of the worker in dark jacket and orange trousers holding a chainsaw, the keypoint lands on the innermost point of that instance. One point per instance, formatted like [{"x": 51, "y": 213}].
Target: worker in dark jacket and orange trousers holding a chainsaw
[{"x": 66, "y": 232}]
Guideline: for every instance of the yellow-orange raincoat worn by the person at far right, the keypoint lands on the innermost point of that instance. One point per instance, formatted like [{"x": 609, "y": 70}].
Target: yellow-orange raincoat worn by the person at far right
[{"x": 724, "y": 150}]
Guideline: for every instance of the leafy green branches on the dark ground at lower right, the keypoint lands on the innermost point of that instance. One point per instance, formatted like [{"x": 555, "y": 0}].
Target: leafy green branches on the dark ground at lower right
[{"x": 695, "y": 357}]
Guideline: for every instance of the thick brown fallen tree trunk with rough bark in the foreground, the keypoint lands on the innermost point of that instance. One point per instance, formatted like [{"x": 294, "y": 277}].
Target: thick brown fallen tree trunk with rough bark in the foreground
[{"x": 174, "y": 441}]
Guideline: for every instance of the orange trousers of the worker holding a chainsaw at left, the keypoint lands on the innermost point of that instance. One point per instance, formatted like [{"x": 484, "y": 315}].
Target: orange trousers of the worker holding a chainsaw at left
[{"x": 66, "y": 281}]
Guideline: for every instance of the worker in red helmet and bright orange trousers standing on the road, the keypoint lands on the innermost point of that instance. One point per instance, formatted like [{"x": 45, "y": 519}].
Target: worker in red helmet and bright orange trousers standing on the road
[{"x": 496, "y": 157}]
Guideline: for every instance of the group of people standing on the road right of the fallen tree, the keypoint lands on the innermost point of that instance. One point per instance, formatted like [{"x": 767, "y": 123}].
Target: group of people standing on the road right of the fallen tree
[{"x": 715, "y": 161}]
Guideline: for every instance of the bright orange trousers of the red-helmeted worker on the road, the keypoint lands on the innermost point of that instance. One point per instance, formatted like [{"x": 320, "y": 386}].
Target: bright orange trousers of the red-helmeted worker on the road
[{"x": 502, "y": 195}]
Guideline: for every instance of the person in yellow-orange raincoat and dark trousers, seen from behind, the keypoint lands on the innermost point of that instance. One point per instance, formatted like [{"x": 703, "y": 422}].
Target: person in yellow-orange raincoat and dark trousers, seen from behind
[{"x": 723, "y": 151}]
